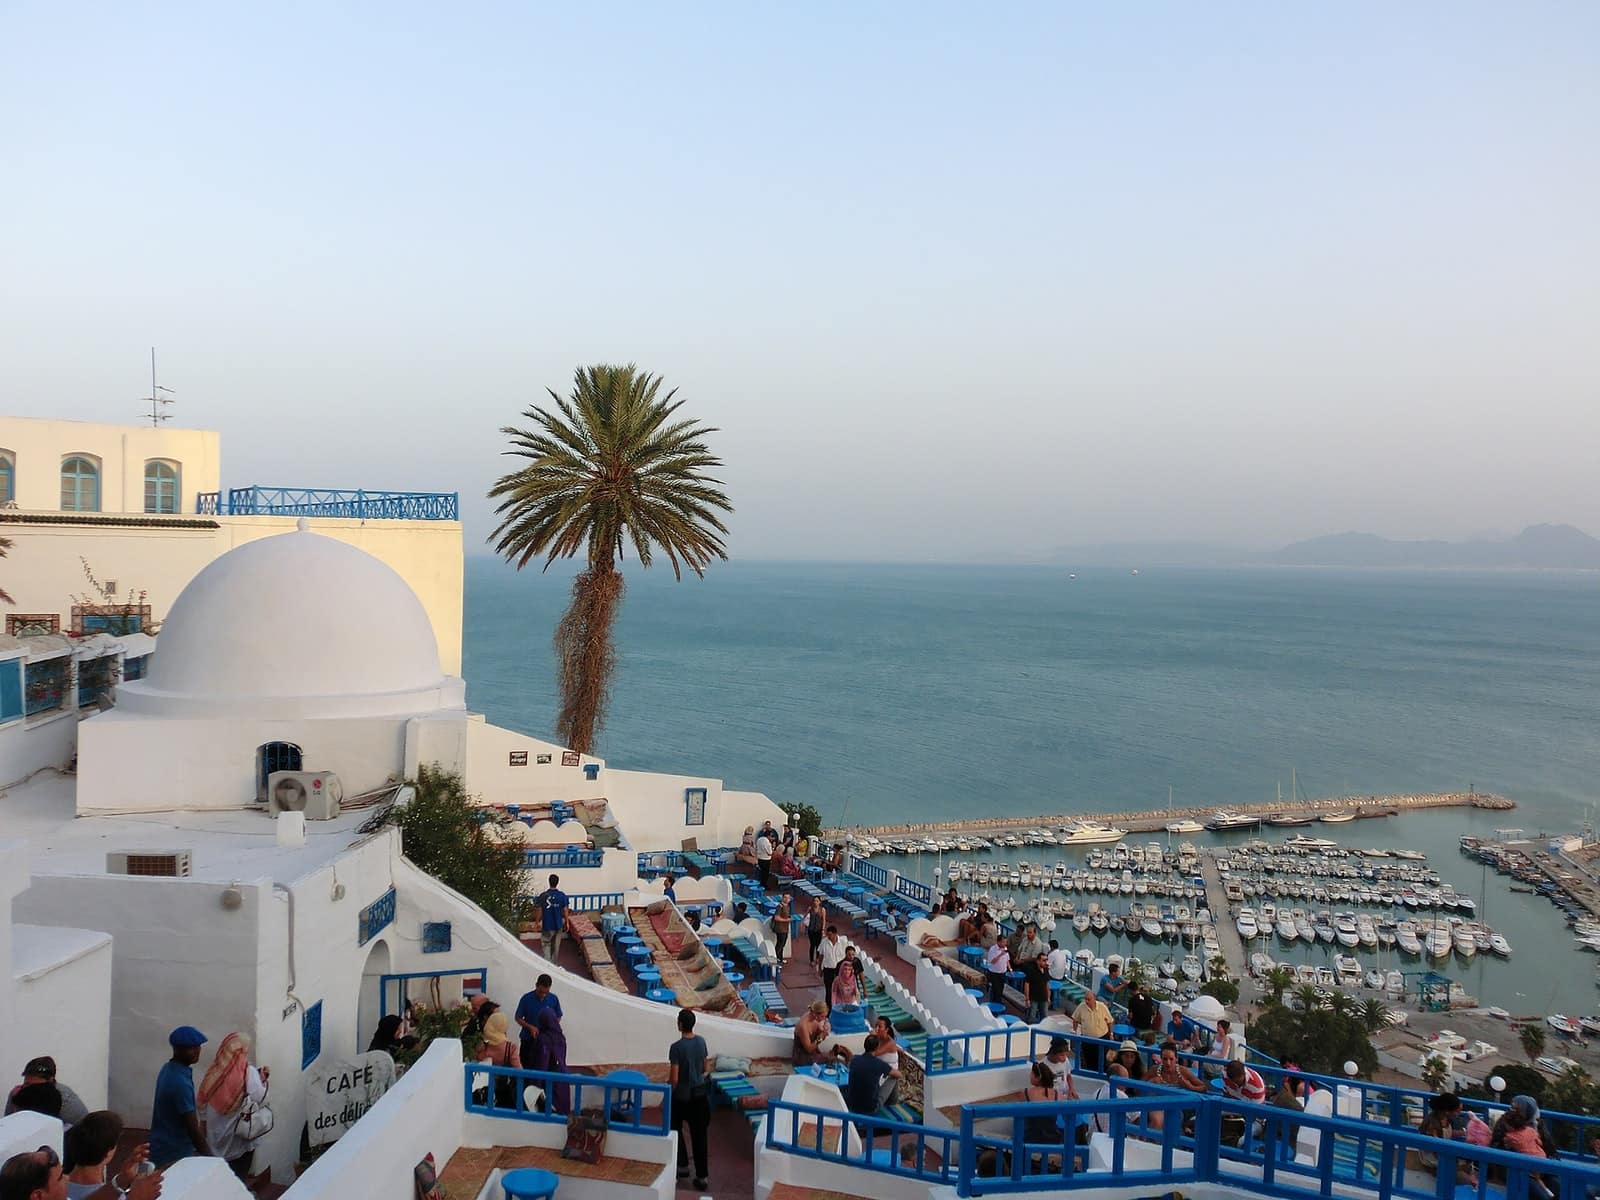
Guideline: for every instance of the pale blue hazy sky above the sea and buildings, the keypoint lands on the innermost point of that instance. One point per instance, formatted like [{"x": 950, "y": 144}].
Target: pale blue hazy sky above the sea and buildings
[{"x": 954, "y": 281}]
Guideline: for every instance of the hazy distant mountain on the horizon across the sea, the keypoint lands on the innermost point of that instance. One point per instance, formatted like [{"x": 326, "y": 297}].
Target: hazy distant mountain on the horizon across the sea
[{"x": 1545, "y": 546}]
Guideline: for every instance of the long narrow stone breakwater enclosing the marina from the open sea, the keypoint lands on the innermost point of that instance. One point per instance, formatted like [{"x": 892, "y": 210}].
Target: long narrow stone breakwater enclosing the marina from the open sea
[{"x": 1156, "y": 820}]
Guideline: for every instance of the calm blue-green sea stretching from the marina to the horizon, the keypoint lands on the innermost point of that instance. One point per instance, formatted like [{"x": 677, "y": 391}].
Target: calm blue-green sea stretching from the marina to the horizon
[{"x": 889, "y": 694}]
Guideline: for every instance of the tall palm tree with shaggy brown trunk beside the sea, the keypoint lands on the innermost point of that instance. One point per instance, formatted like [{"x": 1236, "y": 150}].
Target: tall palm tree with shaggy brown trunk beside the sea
[{"x": 609, "y": 468}]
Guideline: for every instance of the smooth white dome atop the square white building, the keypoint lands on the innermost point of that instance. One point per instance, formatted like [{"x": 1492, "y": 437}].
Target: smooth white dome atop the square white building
[{"x": 302, "y": 626}]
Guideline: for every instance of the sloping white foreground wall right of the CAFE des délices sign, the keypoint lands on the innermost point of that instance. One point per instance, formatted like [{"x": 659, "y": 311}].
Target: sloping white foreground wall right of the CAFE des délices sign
[{"x": 422, "y": 1114}]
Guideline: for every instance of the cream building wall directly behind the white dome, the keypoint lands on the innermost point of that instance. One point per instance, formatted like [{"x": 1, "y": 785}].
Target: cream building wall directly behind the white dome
[{"x": 46, "y": 567}]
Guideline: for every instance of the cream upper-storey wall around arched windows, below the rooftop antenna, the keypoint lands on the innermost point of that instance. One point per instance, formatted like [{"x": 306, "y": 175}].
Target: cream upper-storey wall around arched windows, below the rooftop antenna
[{"x": 39, "y": 447}]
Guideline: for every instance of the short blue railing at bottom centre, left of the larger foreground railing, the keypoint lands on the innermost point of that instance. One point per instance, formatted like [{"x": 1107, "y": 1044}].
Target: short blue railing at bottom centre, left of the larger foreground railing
[{"x": 822, "y": 1134}]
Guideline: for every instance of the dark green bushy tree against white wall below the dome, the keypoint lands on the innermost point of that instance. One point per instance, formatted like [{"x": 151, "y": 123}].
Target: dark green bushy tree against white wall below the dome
[{"x": 449, "y": 838}]
